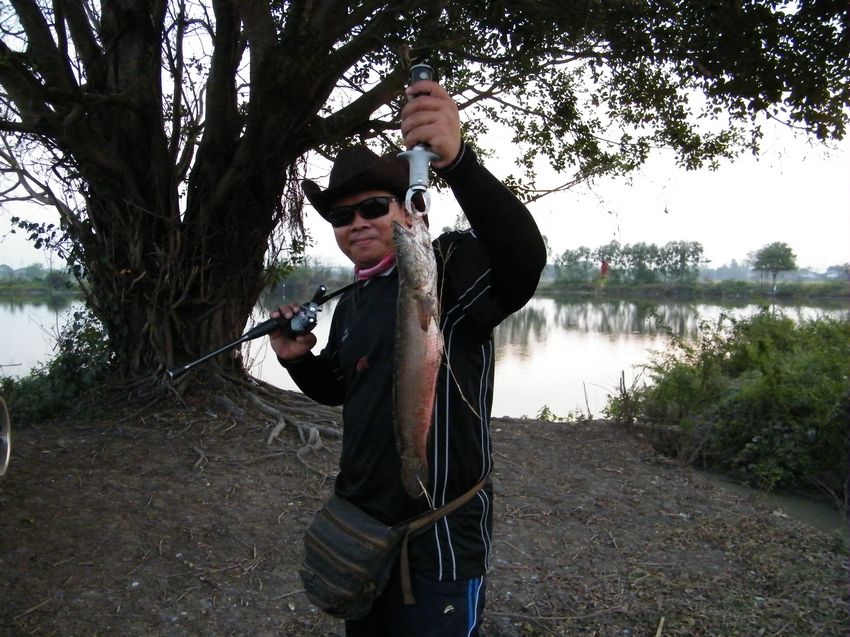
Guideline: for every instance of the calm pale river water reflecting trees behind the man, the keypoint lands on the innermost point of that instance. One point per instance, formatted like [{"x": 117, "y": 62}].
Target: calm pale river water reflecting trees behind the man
[{"x": 566, "y": 356}]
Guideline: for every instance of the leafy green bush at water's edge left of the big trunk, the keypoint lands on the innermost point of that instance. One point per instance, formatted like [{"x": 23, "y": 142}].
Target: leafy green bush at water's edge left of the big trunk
[{"x": 53, "y": 389}]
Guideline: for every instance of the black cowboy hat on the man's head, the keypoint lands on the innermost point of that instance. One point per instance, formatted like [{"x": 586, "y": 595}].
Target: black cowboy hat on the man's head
[{"x": 359, "y": 169}]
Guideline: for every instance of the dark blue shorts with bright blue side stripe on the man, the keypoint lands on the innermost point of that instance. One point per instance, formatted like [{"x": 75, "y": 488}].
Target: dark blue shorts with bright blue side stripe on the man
[{"x": 447, "y": 609}]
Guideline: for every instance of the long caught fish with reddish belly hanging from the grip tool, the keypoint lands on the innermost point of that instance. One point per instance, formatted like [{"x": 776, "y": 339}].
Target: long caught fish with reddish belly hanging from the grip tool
[{"x": 418, "y": 351}]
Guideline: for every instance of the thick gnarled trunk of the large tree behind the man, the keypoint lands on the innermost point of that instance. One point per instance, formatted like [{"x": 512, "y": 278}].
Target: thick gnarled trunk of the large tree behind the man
[{"x": 173, "y": 277}]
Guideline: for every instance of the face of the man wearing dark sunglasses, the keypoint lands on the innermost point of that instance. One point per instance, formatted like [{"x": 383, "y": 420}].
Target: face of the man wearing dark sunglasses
[{"x": 367, "y": 241}]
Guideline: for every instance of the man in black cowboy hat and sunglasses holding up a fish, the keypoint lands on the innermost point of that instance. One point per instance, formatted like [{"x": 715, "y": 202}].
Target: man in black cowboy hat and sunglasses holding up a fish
[{"x": 485, "y": 274}]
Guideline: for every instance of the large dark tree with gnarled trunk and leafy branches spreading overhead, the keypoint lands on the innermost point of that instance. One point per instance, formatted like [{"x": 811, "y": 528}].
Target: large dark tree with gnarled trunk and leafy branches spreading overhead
[{"x": 170, "y": 135}]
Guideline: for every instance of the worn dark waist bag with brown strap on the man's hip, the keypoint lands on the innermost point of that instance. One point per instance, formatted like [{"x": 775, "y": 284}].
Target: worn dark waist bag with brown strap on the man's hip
[{"x": 349, "y": 555}]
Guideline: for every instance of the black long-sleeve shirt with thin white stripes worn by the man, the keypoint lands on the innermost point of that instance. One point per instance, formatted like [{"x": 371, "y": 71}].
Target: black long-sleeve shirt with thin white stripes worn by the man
[{"x": 486, "y": 273}]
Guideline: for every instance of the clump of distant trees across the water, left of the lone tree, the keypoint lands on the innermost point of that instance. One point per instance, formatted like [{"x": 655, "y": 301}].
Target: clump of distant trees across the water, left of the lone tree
[{"x": 677, "y": 261}]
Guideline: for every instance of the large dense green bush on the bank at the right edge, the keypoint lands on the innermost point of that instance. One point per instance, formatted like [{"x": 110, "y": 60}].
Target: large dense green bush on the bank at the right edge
[{"x": 766, "y": 398}]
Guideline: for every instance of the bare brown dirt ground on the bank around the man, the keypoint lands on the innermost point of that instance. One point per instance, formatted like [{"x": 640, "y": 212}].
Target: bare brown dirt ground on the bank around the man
[{"x": 187, "y": 520}]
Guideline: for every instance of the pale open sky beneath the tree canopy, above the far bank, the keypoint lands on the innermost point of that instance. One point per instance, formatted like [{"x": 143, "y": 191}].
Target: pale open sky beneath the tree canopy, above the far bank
[{"x": 796, "y": 191}]
